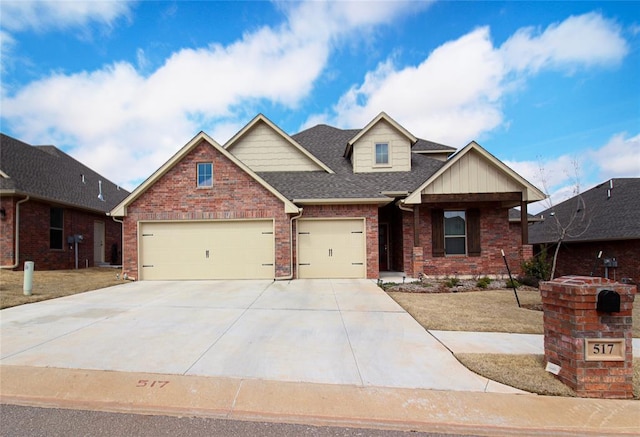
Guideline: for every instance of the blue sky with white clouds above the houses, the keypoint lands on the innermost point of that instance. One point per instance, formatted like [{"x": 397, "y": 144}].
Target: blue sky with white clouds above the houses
[{"x": 550, "y": 88}]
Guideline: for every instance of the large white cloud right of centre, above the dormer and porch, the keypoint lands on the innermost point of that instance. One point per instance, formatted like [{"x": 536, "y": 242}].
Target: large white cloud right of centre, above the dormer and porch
[{"x": 455, "y": 95}]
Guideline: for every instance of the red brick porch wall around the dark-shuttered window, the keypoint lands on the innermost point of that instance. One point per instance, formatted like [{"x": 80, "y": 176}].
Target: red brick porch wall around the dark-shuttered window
[{"x": 496, "y": 232}]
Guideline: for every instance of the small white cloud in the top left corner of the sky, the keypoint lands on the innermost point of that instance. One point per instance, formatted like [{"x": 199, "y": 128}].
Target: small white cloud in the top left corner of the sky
[{"x": 39, "y": 15}]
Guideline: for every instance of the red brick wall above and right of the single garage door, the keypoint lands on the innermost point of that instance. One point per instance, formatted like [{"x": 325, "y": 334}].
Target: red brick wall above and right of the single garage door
[{"x": 368, "y": 212}]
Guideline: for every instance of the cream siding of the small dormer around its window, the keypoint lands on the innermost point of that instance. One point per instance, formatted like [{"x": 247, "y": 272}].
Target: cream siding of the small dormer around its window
[{"x": 363, "y": 157}]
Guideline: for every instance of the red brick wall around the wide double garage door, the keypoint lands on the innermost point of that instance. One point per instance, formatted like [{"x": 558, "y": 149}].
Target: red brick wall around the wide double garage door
[{"x": 234, "y": 195}]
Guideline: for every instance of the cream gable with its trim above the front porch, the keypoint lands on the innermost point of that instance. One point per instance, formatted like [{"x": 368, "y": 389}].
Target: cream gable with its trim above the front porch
[{"x": 474, "y": 170}]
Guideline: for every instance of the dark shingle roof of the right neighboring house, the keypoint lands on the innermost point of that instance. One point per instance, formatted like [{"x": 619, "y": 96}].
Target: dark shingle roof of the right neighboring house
[{"x": 606, "y": 212}]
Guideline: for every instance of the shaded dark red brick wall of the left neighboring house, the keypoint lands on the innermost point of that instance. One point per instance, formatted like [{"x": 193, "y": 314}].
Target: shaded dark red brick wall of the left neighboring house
[{"x": 34, "y": 236}]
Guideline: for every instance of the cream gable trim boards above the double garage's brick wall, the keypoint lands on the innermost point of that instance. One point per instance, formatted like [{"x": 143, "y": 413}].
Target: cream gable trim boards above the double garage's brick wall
[{"x": 121, "y": 209}]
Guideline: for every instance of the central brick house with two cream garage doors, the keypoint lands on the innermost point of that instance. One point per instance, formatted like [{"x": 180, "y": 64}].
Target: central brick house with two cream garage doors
[{"x": 324, "y": 203}]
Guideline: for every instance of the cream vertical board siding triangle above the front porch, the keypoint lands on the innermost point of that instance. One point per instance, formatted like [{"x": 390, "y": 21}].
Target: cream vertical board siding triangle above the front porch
[{"x": 472, "y": 174}]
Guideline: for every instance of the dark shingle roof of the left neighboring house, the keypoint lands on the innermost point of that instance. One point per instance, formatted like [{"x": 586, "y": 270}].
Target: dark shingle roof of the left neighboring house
[{"x": 47, "y": 173}]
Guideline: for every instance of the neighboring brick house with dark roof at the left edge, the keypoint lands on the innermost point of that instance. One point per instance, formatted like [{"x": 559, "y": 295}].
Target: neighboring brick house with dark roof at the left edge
[{"x": 47, "y": 198}]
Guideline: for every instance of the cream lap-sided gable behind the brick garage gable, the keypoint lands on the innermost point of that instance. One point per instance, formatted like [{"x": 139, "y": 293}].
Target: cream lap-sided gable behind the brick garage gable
[{"x": 264, "y": 147}]
